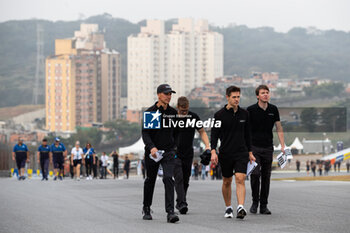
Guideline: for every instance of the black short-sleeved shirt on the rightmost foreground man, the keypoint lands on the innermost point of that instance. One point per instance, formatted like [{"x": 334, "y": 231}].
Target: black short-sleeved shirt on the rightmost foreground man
[{"x": 262, "y": 122}]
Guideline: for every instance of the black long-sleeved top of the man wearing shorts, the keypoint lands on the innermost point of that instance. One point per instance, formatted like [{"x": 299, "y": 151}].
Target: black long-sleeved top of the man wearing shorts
[{"x": 234, "y": 132}]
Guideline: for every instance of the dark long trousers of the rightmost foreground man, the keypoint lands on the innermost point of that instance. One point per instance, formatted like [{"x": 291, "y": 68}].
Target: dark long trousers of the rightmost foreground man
[{"x": 261, "y": 172}]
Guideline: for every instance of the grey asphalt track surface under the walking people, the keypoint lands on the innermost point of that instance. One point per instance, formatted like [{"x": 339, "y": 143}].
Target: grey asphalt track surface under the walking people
[{"x": 115, "y": 206}]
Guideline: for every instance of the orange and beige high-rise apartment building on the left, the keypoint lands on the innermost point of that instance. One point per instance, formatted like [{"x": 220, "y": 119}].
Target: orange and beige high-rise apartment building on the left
[{"x": 82, "y": 81}]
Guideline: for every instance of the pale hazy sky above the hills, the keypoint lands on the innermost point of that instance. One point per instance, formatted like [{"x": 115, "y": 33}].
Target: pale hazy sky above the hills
[{"x": 280, "y": 14}]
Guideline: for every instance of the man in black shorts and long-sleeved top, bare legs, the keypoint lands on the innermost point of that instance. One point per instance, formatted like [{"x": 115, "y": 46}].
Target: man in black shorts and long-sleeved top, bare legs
[{"x": 235, "y": 149}]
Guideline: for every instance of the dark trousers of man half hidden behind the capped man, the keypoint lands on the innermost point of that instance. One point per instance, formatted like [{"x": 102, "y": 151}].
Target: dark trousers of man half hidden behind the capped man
[{"x": 182, "y": 174}]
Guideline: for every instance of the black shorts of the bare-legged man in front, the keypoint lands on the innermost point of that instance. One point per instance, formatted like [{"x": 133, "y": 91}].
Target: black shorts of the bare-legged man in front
[{"x": 234, "y": 163}]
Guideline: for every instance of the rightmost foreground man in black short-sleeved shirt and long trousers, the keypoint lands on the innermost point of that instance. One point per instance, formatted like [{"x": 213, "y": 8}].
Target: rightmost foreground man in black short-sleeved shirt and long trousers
[{"x": 263, "y": 116}]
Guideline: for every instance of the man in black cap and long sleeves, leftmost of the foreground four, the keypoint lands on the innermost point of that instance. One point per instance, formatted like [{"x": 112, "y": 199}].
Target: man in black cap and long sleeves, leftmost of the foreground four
[{"x": 160, "y": 138}]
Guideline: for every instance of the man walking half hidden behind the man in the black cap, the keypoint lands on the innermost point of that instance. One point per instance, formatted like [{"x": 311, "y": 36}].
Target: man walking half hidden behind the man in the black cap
[{"x": 184, "y": 159}]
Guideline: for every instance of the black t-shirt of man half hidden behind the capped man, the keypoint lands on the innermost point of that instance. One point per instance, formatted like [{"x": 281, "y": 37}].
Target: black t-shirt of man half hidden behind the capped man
[{"x": 186, "y": 135}]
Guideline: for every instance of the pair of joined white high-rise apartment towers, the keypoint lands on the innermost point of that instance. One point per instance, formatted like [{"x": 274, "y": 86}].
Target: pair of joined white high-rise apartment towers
[{"x": 189, "y": 56}]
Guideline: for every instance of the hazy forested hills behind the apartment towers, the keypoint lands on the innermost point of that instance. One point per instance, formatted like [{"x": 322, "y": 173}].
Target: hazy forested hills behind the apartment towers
[{"x": 299, "y": 54}]
